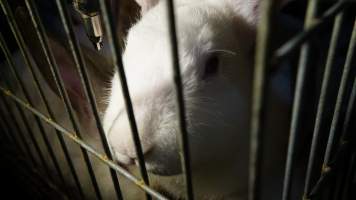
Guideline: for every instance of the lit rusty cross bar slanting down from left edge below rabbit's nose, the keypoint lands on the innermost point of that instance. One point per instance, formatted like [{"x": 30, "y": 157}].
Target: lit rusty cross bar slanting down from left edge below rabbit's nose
[{"x": 74, "y": 138}]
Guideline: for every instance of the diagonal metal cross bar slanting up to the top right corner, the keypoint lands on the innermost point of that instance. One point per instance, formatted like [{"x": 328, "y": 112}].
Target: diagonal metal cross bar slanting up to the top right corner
[{"x": 292, "y": 45}]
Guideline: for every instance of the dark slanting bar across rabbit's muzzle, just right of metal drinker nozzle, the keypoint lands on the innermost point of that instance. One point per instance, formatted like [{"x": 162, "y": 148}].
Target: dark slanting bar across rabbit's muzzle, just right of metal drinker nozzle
[{"x": 117, "y": 60}]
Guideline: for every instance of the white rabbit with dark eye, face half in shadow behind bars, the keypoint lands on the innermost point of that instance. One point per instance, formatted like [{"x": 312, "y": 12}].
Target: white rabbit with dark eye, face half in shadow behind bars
[{"x": 216, "y": 44}]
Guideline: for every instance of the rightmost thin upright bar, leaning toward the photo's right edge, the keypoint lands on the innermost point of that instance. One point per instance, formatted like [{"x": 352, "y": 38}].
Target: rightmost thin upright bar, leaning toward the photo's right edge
[{"x": 340, "y": 97}]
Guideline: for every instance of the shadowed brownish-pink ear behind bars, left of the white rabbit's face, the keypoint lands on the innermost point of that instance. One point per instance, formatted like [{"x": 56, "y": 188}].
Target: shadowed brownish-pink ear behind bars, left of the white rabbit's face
[{"x": 99, "y": 69}]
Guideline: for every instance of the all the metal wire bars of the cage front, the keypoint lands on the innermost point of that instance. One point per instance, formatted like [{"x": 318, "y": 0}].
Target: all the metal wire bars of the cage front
[{"x": 262, "y": 60}]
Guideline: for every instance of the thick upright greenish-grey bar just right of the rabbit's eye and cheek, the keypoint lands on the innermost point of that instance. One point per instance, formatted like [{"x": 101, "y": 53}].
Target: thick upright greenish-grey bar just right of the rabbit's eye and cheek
[{"x": 260, "y": 82}]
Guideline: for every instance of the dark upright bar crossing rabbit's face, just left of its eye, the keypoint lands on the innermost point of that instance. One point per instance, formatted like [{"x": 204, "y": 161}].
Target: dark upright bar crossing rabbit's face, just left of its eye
[{"x": 183, "y": 137}]
